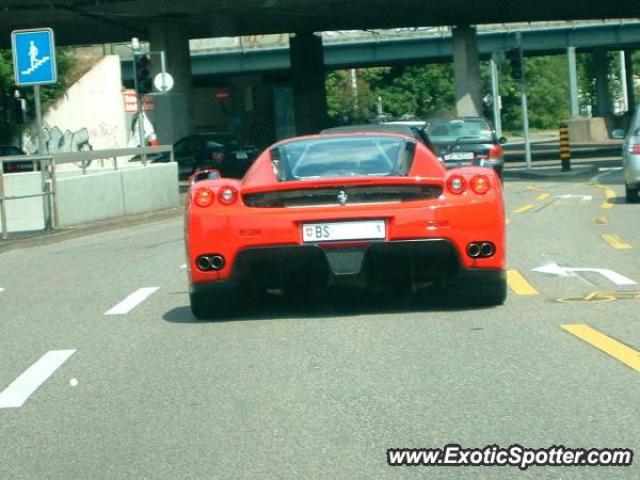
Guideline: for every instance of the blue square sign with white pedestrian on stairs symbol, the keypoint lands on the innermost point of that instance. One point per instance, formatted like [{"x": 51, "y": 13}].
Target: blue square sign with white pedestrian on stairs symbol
[{"x": 34, "y": 56}]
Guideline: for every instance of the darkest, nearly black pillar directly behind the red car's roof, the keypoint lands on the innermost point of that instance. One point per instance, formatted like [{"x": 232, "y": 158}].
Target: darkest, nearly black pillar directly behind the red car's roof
[{"x": 307, "y": 71}]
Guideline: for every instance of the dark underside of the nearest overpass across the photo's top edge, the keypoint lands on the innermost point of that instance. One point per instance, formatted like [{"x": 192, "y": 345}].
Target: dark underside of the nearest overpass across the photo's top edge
[{"x": 102, "y": 21}]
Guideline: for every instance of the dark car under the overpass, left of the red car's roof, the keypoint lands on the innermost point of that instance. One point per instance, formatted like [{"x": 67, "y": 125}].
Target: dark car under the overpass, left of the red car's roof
[{"x": 219, "y": 150}]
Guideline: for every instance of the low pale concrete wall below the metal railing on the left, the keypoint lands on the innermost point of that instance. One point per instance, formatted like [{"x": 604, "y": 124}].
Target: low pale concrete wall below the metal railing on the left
[{"x": 95, "y": 196}]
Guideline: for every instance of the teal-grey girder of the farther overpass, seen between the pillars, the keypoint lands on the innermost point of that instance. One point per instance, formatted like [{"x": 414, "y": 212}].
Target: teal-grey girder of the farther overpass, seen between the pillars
[{"x": 411, "y": 49}]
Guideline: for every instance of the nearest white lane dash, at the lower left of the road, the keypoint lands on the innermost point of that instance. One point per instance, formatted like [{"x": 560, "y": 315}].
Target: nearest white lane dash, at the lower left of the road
[{"x": 23, "y": 387}]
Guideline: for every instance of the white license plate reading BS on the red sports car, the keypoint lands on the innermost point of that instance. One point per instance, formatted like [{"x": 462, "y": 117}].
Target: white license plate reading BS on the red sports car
[{"x": 328, "y": 232}]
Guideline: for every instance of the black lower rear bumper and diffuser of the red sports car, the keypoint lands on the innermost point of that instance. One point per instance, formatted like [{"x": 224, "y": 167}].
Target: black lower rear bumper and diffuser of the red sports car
[{"x": 399, "y": 264}]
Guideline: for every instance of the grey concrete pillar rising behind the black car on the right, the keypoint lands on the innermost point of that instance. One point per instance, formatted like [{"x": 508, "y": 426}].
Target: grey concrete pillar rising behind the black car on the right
[{"x": 466, "y": 65}]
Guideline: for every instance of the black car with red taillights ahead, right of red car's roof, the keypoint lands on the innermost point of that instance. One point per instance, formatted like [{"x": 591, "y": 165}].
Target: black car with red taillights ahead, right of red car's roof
[{"x": 467, "y": 141}]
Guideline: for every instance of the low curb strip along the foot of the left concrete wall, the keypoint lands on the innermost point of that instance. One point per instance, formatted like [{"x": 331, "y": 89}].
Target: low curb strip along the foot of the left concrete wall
[{"x": 39, "y": 239}]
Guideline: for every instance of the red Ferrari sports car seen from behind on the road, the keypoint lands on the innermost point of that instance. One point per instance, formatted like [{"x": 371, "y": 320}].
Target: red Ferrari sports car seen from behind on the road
[{"x": 367, "y": 209}]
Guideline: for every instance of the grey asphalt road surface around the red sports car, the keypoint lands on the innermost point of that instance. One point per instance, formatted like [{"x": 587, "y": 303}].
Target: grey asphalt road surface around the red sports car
[{"x": 320, "y": 390}]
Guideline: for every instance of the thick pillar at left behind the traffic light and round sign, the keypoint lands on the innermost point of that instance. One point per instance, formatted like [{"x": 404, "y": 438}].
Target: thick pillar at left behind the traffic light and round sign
[{"x": 173, "y": 113}]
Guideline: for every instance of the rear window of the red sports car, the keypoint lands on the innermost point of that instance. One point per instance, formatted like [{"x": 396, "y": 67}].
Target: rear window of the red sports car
[{"x": 343, "y": 156}]
